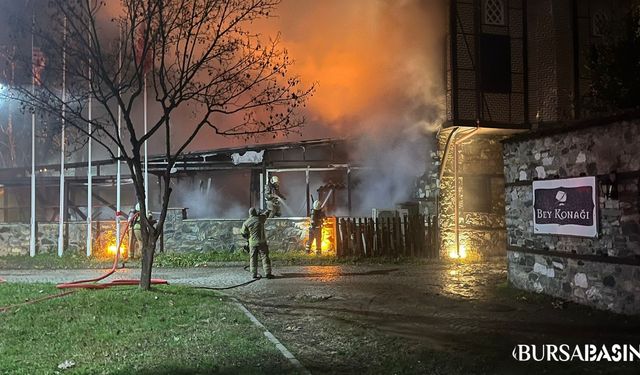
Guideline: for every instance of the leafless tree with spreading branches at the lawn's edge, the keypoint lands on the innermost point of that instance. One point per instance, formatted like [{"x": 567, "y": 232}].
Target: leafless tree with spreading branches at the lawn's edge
[{"x": 199, "y": 56}]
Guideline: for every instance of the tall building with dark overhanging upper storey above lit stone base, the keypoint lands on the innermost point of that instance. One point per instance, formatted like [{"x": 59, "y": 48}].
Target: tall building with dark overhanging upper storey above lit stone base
[{"x": 512, "y": 66}]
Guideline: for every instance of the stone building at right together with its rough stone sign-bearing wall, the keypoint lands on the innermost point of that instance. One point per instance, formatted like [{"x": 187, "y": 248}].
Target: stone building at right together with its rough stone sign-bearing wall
[{"x": 517, "y": 86}]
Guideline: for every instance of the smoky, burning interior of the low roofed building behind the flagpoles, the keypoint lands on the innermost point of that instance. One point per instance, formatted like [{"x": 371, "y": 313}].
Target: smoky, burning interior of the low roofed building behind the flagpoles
[{"x": 212, "y": 185}]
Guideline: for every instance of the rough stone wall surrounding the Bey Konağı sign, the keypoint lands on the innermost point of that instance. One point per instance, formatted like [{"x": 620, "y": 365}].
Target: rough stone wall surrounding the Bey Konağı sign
[{"x": 603, "y": 271}]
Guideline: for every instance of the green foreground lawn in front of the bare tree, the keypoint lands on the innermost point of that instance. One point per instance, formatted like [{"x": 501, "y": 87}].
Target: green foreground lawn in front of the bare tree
[{"x": 170, "y": 330}]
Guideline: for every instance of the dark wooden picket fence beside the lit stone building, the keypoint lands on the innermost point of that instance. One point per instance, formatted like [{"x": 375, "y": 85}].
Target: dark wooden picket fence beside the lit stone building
[{"x": 388, "y": 237}]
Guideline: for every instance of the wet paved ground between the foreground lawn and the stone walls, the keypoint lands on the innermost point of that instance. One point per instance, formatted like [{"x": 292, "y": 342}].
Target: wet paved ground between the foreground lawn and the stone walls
[{"x": 441, "y": 318}]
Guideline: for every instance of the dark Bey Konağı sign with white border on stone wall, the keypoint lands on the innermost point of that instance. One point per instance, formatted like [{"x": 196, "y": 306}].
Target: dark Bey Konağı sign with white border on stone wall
[{"x": 567, "y": 206}]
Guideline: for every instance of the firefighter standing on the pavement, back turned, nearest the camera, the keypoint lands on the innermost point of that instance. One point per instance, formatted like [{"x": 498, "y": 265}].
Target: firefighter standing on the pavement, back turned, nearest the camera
[{"x": 253, "y": 230}]
